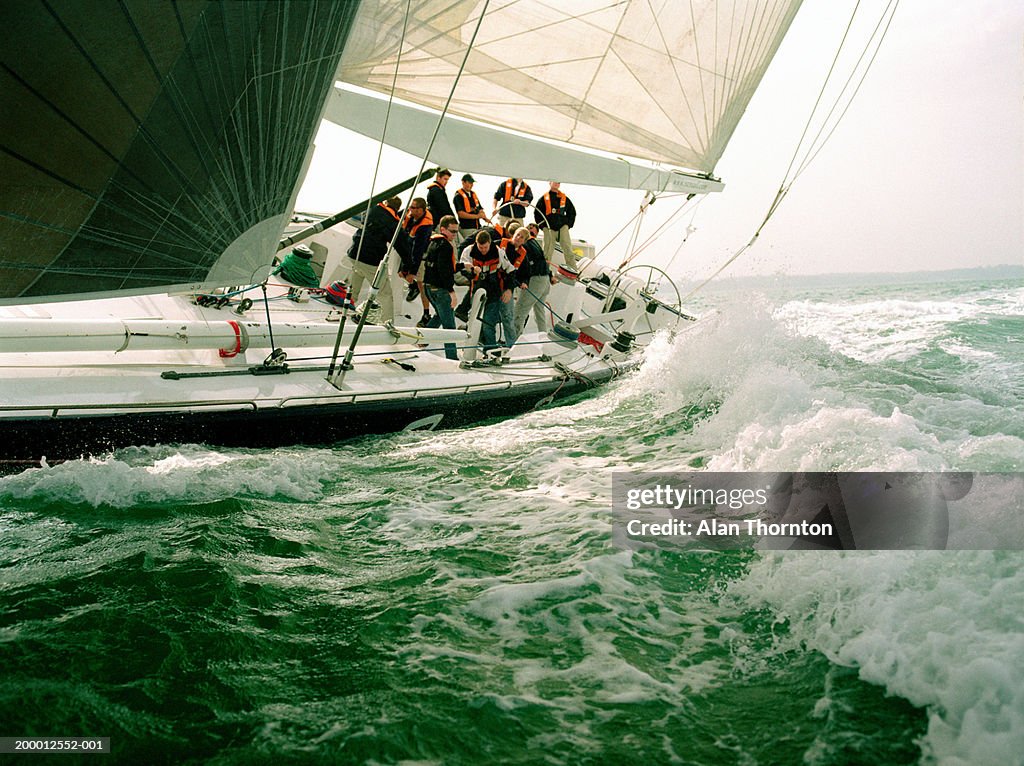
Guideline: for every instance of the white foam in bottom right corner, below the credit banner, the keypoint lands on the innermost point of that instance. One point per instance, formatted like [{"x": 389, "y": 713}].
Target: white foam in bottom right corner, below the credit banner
[{"x": 943, "y": 629}]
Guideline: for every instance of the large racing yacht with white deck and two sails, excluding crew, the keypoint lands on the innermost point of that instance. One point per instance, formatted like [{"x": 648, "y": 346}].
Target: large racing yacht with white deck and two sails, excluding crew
[{"x": 153, "y": 155}]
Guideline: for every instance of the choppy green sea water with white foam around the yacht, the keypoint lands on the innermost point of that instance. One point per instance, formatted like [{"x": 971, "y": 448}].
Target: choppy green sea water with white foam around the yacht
[{"x": 456, "y": 598}]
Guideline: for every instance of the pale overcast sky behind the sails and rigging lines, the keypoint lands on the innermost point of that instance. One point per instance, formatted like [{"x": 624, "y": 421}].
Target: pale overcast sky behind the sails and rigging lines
[{"x": 926, "y": 172}]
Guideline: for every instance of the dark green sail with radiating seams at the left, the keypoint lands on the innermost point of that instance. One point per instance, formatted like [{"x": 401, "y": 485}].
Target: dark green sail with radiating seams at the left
[{"x": 144, "y": 142}]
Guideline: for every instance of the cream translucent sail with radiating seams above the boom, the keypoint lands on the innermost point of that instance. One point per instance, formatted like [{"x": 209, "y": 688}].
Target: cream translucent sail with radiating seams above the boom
[{"x": 652, "y": 79}]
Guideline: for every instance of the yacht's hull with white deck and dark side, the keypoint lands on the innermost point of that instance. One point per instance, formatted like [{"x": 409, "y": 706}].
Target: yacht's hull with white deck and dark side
[{"x": 88, "y": 376}]
